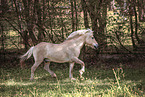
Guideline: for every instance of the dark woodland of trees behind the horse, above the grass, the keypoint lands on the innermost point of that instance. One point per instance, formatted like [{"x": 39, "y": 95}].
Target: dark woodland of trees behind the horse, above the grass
[{"x": 118, "y": 25}]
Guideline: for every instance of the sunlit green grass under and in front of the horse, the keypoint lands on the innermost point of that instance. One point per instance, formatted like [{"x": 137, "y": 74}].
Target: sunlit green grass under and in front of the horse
[{"x": 14, "y": 82}]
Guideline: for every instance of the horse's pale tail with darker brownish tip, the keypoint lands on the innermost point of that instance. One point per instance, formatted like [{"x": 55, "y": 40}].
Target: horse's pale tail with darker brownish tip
[{"x": 26, "y": 56}]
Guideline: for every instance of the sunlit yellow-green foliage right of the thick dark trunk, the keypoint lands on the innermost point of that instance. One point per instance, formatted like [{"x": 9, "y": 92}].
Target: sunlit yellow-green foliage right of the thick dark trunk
[{"x": 119, "y": 31}]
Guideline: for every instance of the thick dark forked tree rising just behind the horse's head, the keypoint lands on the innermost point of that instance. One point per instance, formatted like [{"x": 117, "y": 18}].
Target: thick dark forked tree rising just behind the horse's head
[{"x": 97, "y": 10}]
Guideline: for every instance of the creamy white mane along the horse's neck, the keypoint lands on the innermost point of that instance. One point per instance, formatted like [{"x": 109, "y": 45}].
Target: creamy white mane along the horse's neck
[{"x": 77, "y": 33}]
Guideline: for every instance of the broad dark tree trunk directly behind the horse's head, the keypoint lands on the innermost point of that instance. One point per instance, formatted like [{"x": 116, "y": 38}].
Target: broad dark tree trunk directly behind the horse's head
[{"x": 98, "y": 19}]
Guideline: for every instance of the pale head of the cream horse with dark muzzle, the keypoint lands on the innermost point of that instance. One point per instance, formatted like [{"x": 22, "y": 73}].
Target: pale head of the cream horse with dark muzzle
[{"x": 90, "y": 40}]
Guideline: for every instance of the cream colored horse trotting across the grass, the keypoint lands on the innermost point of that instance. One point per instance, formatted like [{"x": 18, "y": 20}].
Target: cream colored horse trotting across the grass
[{"x": 67, "y": 51}]
